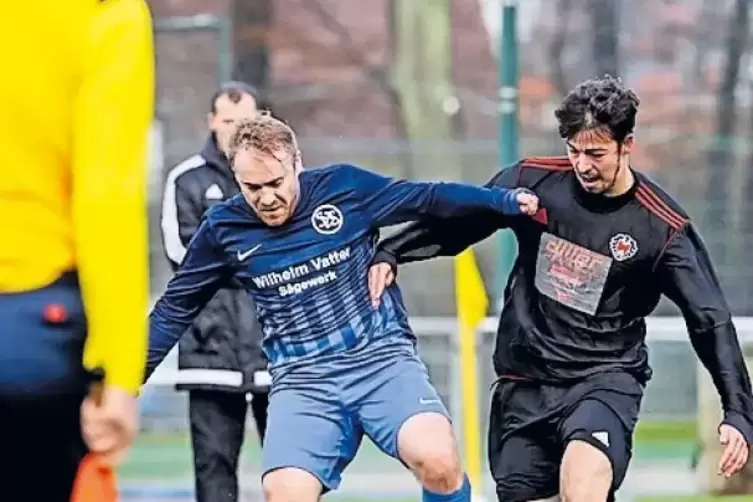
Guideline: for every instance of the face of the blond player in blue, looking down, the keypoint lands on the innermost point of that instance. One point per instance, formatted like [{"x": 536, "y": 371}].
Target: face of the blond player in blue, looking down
[{"x": 269, "y": 183}]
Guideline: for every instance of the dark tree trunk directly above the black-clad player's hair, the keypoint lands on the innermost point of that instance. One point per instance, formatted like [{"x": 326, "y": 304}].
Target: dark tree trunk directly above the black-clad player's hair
[{"x": 605, "y": 32}]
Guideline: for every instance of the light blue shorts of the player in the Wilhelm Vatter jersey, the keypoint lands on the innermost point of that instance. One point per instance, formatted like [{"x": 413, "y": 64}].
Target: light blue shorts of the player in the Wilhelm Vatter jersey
[{"x": 318, "y": 413}]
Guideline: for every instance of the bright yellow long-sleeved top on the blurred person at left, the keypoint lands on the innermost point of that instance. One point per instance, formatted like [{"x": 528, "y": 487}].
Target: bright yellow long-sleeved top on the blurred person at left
[{"x": 76, "y": 103}]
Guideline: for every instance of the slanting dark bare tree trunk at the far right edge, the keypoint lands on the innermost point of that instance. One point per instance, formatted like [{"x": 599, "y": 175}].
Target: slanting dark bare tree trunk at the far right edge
[{"x": 721, "y": 157}]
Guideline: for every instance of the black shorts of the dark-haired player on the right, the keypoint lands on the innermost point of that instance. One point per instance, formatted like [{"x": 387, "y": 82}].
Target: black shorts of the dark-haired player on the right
[{"x": 531, "y": 424}]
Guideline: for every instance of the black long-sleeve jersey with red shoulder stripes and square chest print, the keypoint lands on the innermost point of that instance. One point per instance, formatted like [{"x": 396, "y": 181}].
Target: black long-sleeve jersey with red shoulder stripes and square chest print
[{"x": 590, "y": 268}]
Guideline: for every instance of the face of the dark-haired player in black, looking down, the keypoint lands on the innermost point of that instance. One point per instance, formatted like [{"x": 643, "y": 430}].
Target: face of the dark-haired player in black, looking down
[{"x": 596, "y": 159}]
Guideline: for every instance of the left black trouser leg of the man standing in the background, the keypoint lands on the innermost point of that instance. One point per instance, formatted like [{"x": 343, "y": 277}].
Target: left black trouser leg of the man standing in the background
[{"x": 217, "y": 428}]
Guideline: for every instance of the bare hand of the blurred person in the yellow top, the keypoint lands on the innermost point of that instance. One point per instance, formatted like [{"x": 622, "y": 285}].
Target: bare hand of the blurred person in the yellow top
[{"x": 110, "y": 427}]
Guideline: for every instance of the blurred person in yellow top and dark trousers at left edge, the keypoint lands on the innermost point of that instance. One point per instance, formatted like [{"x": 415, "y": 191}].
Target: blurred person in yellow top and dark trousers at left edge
[{"x": 76, "y": 102}]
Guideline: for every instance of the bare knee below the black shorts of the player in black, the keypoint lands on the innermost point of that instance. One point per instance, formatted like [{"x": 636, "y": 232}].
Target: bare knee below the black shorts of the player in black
[{"x": 586, "y": 473}]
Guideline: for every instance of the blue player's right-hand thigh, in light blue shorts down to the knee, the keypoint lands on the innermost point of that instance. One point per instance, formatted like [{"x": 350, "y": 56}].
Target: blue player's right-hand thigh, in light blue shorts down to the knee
[{"x": 401, "y": 411}]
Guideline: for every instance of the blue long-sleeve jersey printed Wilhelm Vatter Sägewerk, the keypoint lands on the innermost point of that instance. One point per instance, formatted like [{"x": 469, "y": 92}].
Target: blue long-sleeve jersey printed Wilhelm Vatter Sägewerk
[{"x": 308, "y": 278}]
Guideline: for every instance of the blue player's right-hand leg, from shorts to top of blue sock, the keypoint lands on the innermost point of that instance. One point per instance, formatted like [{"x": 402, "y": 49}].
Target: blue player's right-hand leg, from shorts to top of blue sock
[{"x": 402, "y": 413}]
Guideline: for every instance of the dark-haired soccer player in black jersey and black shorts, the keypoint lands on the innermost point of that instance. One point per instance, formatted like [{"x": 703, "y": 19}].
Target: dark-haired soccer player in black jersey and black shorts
[{"x": 570, "y": 354}]
